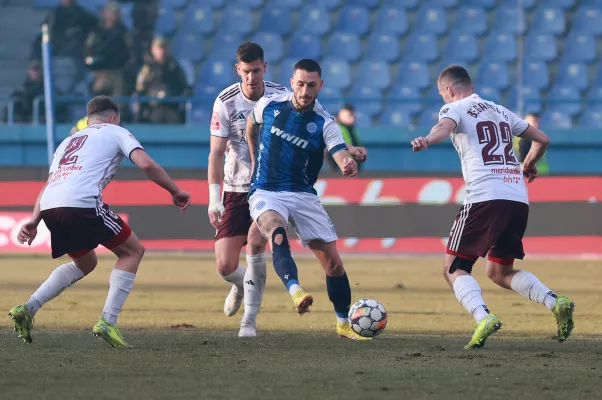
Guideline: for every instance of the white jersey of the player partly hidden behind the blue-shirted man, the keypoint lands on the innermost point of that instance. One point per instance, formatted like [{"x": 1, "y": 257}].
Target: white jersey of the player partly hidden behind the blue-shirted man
[{"x": 229, "y": 120}]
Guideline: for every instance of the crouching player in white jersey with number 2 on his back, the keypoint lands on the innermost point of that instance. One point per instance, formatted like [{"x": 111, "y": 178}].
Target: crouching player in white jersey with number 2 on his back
[{"x": 72, "y": 208}]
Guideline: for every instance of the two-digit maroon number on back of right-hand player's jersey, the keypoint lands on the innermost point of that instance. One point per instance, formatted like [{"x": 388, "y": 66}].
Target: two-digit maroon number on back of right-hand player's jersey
[{"x": 489, "y": 134}]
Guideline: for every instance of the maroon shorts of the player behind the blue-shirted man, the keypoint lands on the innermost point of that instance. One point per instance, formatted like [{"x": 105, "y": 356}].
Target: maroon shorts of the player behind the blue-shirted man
[{"x": 236, "y": 220}]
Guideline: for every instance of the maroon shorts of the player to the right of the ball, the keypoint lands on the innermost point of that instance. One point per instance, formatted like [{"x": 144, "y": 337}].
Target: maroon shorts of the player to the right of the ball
[{"x": 496, "y": 227}]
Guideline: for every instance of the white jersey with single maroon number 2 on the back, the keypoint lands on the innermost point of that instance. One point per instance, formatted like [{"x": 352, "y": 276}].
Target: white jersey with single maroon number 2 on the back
[{"x": 84, "y": 164}]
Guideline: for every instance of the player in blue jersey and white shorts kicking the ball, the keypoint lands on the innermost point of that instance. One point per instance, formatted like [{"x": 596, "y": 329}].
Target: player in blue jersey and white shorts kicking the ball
[{"x": 287, "y": 152}]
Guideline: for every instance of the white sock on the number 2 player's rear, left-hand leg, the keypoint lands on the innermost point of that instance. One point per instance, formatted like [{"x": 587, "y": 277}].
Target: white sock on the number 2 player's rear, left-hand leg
[{"x": 61, "y": 278}]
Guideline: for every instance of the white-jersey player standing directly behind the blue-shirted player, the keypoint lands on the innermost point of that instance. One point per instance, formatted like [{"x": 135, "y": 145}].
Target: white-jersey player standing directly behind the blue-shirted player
[{"x": 229, "y": 212}]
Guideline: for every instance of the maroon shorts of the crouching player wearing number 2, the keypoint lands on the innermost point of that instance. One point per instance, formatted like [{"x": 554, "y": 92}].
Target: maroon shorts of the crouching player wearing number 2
[{"x": 77, "y": 231}]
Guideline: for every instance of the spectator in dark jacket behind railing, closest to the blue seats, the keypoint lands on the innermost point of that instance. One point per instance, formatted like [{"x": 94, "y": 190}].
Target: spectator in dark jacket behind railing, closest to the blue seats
[{"x": 161, "y": 77}]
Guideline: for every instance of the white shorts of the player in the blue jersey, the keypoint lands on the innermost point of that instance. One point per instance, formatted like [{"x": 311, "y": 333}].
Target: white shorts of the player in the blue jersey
[{"x": 303, "y": 210}]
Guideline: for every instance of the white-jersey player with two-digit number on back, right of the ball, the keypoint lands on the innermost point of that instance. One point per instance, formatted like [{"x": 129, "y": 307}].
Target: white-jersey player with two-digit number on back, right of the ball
[{"x": 494, "y": 216}]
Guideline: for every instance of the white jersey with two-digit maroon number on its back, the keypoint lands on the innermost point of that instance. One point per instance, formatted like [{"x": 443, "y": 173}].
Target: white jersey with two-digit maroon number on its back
[{"x": 483, "y": 139}]
